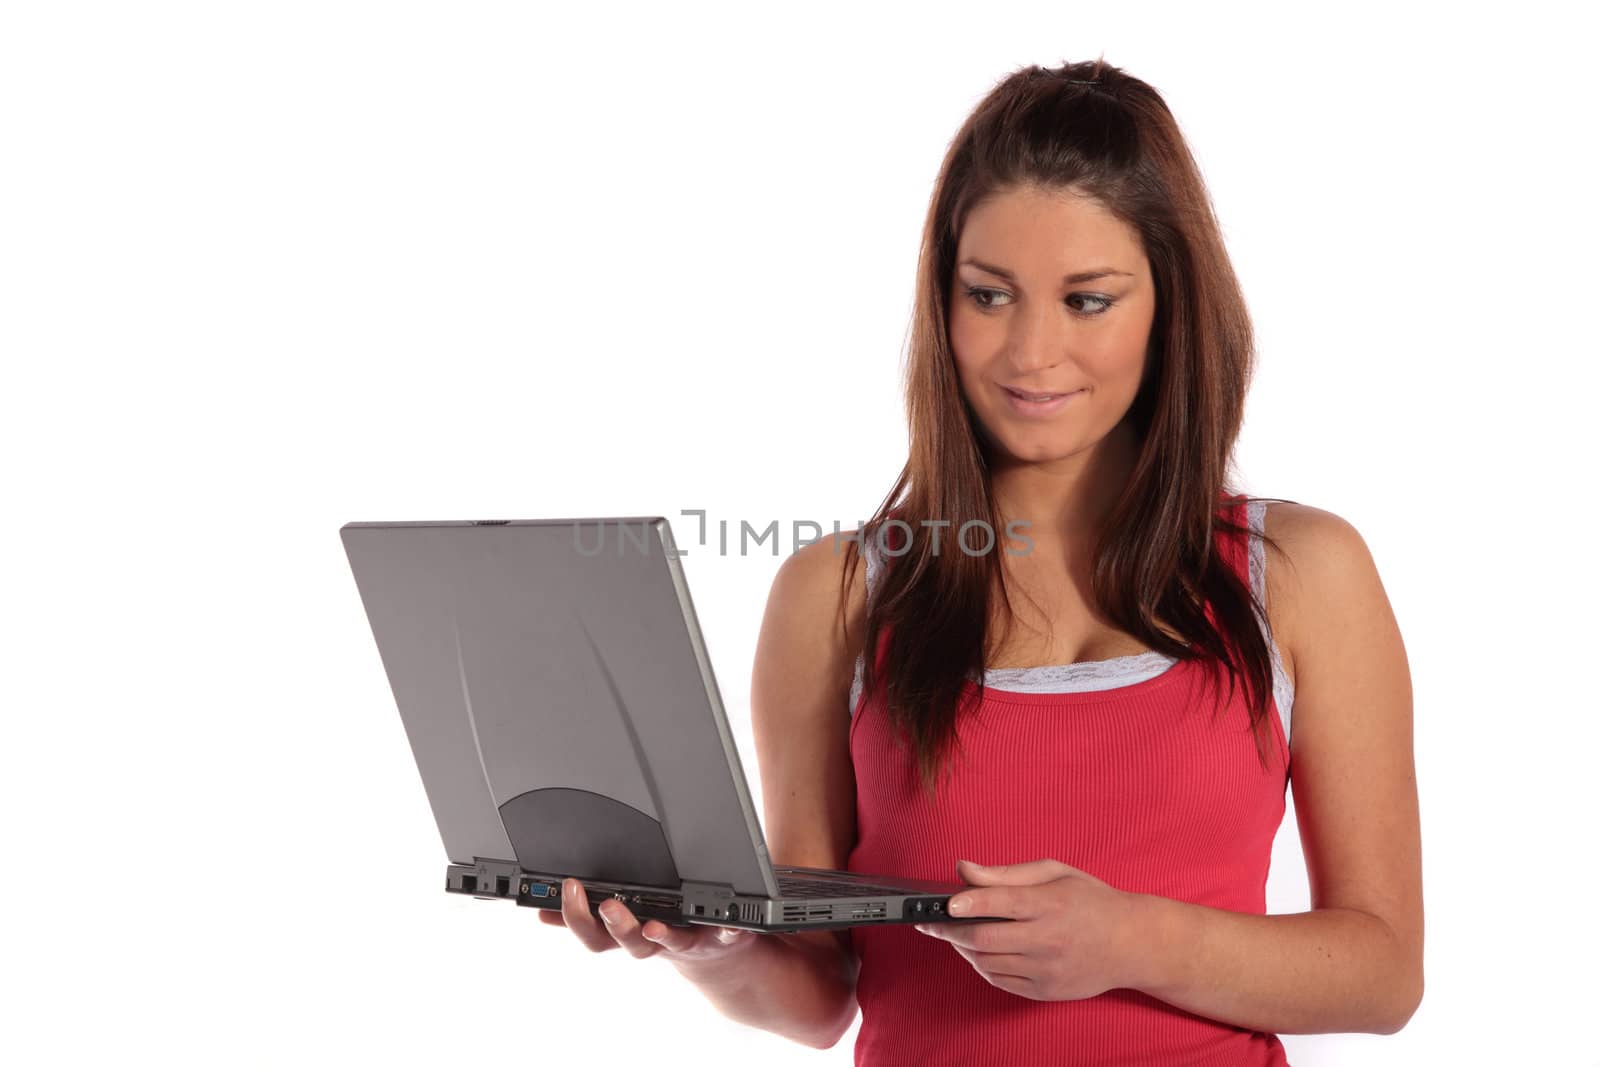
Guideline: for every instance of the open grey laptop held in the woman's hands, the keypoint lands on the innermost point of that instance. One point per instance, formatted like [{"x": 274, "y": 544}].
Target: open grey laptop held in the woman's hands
[{"x": 561, "y": 705}]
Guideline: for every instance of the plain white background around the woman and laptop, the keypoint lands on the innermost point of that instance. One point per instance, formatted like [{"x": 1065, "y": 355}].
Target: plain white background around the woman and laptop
[{"x": 274, "y": 268}]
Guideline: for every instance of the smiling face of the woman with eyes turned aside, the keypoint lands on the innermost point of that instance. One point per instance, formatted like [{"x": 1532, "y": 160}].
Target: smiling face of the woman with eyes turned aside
[{"x": 1052, "y": 297}]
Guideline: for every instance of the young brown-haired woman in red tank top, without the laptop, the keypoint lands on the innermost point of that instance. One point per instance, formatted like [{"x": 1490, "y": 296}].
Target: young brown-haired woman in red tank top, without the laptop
[{"x": 1086, "y": 673}]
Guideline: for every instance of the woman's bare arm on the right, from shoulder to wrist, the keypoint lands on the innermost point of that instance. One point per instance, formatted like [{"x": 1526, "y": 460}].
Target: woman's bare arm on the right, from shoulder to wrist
[{"x": 1354, "y": 964}]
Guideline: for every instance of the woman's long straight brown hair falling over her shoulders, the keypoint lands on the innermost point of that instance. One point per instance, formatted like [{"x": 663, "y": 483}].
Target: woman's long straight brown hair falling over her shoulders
[{"x": 1100, "y": 132}]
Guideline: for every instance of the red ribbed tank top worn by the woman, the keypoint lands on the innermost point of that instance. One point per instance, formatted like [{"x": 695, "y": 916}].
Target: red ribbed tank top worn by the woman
[{"x": 1142, "y": 786}]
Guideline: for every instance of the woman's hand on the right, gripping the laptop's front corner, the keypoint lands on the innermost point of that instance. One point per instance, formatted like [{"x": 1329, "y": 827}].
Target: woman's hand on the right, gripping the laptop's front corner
[{"x": 1073, "y": 937}]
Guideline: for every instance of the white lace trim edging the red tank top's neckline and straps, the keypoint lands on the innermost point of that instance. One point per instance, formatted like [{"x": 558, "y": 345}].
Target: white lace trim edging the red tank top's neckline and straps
[{"x": 1105, "y": 674}]
